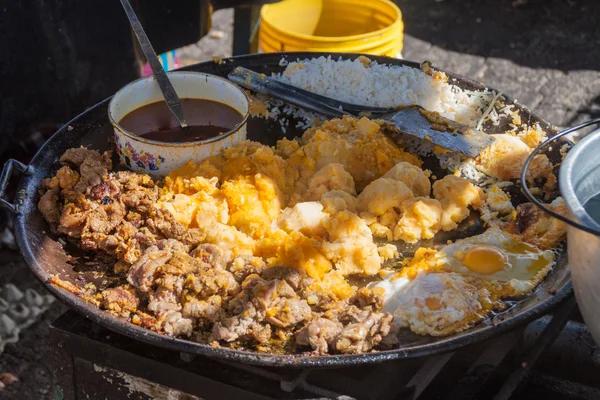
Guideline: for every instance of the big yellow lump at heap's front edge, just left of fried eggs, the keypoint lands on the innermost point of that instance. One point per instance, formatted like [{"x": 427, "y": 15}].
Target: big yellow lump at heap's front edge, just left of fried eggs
[{"x": 351, "y": 245}]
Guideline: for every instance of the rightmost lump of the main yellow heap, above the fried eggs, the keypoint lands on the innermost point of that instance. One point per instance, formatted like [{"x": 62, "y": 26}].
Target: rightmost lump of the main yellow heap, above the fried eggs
[{"x": 456, "y": 194}]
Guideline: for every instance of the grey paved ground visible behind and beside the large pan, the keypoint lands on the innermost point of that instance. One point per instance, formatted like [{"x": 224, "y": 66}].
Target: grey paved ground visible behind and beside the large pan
[{"x": 542, "y": 52}]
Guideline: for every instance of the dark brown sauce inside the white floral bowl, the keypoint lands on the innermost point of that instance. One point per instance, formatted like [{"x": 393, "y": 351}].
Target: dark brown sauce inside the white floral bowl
[{"x": 205, "y": 119}]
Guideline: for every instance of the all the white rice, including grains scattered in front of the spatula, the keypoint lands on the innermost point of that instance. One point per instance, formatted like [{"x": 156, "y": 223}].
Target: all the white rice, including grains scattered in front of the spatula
[{"x": 390, "y": 86}]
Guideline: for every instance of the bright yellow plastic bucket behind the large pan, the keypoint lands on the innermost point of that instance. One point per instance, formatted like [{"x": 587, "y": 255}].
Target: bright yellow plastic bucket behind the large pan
[{"x": 349, "y": 26}]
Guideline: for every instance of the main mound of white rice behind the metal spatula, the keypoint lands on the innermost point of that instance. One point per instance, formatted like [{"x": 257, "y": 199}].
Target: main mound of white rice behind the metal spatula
[{"x": 385, "y": 86}]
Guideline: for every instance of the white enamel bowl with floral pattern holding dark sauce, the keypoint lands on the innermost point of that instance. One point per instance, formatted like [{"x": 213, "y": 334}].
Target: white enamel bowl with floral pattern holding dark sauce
[{"x": 160, "y": 158}]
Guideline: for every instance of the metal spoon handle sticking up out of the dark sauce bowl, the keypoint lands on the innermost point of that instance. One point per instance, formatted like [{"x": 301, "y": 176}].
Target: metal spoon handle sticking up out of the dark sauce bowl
[{"x": 164, "y": 83}]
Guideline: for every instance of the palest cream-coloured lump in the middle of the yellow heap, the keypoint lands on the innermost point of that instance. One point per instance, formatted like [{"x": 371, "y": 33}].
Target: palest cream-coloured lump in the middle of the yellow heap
[{"x": 305, "y": 217}]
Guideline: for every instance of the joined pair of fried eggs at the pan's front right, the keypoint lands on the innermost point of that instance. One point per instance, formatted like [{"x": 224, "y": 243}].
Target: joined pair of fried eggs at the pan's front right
[{"x": 444, "y": 291}]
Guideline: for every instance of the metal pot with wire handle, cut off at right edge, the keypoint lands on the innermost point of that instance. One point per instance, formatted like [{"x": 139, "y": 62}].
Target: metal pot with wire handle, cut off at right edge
[{"x": 579, "y": 181}]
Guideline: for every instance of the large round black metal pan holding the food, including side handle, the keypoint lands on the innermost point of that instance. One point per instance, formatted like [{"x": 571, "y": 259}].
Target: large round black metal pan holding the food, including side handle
[{"x": 46, "y": 256}]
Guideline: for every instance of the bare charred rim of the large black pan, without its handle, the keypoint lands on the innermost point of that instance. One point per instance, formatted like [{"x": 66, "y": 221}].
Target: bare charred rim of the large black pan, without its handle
[{"x": 553, "y": 291}]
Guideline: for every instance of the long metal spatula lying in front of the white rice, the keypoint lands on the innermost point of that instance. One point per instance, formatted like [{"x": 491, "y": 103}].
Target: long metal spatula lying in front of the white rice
[{"x": 412, "y": 120}]
